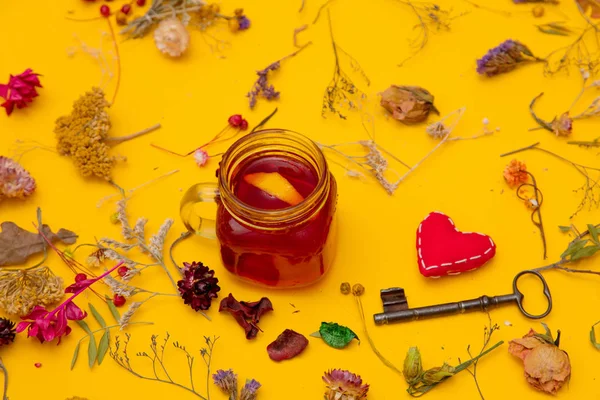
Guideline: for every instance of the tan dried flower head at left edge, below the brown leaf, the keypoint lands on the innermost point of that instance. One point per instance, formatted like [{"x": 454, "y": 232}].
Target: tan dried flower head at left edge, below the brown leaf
[{"x": 22, "y": 290}]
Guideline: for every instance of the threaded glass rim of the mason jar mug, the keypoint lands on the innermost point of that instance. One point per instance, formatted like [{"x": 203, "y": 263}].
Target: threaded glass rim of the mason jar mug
[{"x": 283, "y": 214}]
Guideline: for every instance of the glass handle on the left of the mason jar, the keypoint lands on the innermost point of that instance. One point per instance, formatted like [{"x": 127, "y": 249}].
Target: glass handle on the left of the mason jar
[{"x": 199, "y": 193}]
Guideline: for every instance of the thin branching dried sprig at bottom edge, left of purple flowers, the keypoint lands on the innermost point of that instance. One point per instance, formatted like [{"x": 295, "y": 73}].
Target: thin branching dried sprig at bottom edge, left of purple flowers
[{"x": 159, "y": 367}]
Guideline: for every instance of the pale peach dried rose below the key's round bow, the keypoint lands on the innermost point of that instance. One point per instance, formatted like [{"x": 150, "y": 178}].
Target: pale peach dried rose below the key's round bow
[{"x": 547, "y": 368}]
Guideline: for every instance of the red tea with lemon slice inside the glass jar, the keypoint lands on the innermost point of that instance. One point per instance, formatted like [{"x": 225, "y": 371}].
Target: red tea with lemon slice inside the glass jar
[{"x": 294, "y": 254}]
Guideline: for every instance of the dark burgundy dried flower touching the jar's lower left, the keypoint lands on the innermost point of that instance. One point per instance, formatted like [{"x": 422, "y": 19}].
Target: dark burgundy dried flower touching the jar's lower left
[{"x": 198, "y": 286}]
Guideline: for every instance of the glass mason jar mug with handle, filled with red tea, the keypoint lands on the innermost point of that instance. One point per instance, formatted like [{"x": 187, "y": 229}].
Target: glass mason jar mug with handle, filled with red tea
[{"x": 276, "y": 205}]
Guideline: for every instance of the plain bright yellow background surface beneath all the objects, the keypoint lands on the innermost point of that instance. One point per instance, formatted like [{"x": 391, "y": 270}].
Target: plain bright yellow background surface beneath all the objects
[{"x": 193, "y": 96}]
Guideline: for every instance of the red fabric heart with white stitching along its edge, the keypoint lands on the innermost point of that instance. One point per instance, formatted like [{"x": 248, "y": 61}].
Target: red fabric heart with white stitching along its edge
[{"x": 443, "y": 250}]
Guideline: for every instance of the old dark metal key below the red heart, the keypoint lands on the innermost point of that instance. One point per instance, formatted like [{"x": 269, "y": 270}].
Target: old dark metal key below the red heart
[{"x": 483, "y": 303}]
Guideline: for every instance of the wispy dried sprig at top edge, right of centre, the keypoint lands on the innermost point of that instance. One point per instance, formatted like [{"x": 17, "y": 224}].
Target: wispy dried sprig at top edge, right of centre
[{"x": 430, "y": 16}]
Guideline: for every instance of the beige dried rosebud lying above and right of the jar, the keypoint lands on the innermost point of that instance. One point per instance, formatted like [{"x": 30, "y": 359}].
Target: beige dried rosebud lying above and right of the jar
[{"x": 408, "y": 104}]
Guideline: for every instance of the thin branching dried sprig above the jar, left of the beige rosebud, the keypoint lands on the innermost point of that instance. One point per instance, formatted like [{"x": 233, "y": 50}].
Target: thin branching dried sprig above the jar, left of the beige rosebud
[{"x": 342, "y": 93}]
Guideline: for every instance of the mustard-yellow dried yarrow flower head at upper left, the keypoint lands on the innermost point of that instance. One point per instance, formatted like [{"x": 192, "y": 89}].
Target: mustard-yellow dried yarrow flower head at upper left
[{"x": 80, "y": 135}]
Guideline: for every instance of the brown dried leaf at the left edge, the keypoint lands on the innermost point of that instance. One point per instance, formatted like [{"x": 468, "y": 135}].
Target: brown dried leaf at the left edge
[{"x": 17, "y": 244}]
